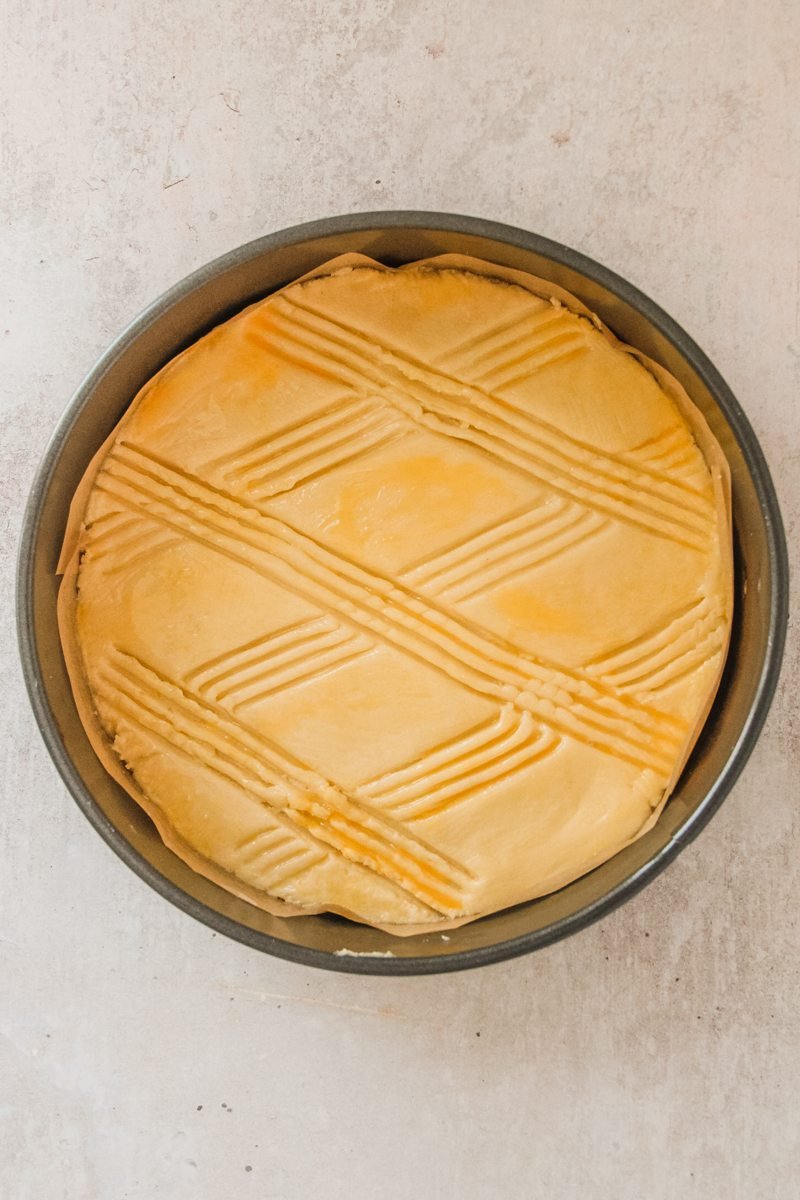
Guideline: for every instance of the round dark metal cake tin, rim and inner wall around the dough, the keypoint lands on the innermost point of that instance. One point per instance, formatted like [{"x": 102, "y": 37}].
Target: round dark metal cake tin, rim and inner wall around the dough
[{"x": 214, "y": 293}]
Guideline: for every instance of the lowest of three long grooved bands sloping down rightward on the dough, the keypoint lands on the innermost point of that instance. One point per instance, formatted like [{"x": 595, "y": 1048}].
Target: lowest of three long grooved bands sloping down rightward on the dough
[{"x": 304, "y": 799}]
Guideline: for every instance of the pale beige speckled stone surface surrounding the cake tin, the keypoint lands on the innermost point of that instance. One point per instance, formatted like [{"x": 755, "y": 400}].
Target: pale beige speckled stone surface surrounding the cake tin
[{"x": 653, "y": 1057}]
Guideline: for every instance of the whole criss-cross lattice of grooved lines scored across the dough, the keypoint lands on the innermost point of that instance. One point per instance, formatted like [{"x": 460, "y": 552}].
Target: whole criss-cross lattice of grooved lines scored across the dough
[{"x": 609, "y": 705}]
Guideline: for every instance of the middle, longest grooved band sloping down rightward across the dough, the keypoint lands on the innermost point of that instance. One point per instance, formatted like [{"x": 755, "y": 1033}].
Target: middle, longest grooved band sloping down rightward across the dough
[{"x": 381, "y": 607}]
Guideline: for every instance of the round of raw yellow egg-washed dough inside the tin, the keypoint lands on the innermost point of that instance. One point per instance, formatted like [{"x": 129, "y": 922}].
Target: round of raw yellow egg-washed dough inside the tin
[{"x": 404, "y": 595}]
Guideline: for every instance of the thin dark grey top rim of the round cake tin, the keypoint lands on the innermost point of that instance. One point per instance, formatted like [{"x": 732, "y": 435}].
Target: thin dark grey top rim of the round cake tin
[{"x": 720, "y": 788}]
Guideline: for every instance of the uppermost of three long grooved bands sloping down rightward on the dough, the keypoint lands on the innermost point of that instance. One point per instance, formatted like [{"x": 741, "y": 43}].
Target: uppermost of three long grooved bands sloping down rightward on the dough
[{"x": 645, "y": 495}]
